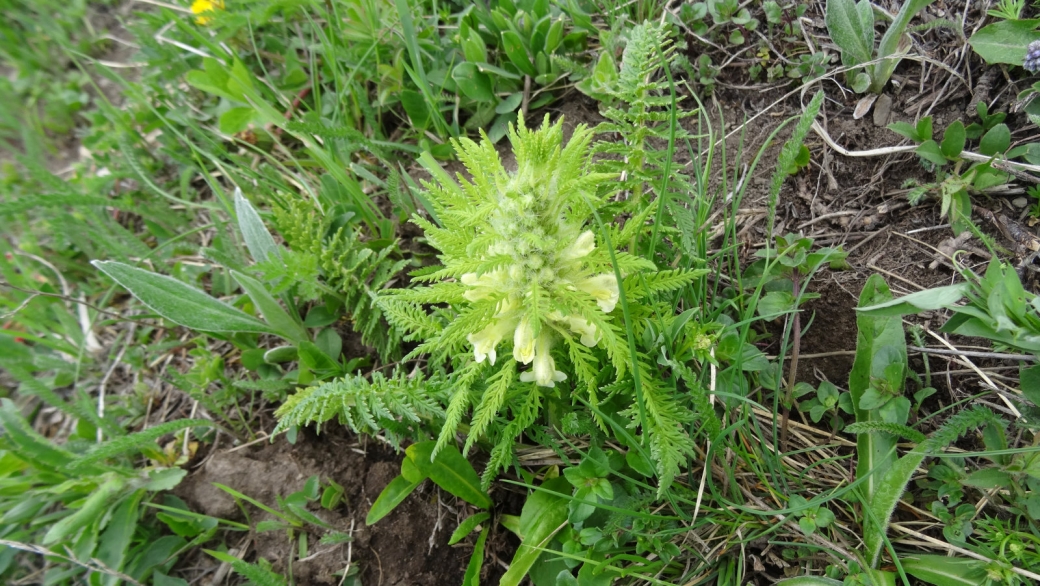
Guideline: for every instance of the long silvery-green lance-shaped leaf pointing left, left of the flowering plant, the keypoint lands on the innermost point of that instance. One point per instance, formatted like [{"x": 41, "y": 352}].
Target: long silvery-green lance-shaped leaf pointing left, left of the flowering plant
[{"x": 181, "y": 303}]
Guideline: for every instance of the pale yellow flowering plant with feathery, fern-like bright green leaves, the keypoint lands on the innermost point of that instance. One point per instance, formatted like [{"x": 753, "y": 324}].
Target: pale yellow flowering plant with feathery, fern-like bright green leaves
[{"x": 523, "y": 268}]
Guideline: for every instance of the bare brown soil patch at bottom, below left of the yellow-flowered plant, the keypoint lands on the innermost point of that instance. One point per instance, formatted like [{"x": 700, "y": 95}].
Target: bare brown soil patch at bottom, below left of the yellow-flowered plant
[{"x": 407, "y": 548}]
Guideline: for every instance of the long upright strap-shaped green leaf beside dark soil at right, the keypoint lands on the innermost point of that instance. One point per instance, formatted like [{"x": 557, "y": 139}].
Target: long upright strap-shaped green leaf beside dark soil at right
[{"x": 880, "y": 342}]
